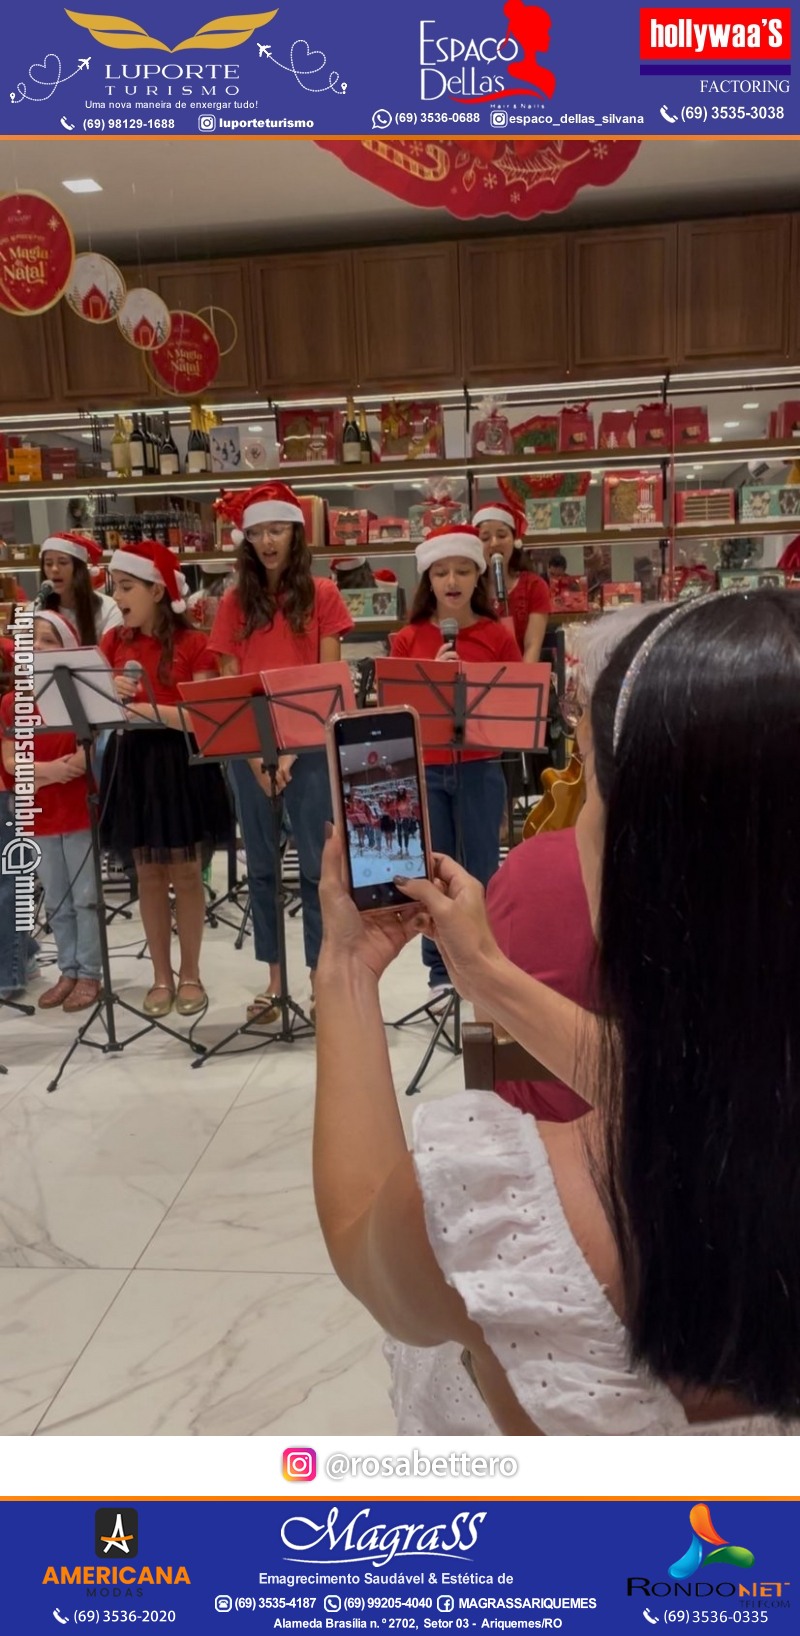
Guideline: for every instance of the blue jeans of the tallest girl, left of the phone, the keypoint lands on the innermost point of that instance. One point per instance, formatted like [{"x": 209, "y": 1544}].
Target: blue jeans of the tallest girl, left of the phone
[{"x": 308, "y": 806}]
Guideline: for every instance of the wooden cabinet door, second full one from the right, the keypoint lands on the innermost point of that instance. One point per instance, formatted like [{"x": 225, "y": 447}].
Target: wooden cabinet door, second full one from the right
[{"x": 622, "y": 289}]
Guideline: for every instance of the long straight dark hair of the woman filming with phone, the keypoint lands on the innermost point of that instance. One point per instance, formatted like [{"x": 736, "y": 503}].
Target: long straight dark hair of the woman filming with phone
[{"x": 701, "y": 976}]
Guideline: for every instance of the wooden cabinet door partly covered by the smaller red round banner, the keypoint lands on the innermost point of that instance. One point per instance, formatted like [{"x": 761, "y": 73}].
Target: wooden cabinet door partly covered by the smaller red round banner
[{"x": 222, "y": 294}]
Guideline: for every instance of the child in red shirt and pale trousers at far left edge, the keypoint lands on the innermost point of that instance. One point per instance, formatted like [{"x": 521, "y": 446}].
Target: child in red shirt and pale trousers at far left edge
[{"x": 61, "y": 830}]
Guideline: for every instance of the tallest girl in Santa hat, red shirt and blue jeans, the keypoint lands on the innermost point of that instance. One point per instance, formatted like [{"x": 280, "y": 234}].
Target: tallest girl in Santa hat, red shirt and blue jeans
[{"x": 279, "y": 616}]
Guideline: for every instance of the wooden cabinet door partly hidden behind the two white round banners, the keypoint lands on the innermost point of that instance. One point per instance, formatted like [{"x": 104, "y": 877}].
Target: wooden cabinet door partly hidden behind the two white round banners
[{"x": 96, "y": 366}]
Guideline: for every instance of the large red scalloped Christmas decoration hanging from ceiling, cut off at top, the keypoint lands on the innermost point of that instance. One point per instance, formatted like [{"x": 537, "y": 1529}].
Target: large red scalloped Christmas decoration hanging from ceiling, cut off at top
[{"x": 469, "y": 179}]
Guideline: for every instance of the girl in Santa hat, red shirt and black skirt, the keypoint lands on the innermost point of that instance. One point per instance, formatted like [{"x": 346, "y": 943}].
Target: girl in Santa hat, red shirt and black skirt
[{"x": 155, "y": 804}]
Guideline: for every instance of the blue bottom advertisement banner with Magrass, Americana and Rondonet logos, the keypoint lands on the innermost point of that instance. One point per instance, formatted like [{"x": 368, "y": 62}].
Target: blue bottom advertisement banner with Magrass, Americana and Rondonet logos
[{"x": 438, "y": 1565}]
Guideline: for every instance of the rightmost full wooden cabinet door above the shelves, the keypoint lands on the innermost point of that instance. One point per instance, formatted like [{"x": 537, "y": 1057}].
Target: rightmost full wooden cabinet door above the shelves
[{"x": 735, "y": 290}]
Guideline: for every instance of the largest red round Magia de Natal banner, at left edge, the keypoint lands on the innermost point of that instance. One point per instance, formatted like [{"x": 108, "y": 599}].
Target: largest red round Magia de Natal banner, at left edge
[{"x": 37, "y": 254}]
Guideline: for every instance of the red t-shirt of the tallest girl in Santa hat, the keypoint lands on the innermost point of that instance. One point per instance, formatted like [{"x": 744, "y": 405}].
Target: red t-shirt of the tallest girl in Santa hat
[{"x": 277, "y": 647}]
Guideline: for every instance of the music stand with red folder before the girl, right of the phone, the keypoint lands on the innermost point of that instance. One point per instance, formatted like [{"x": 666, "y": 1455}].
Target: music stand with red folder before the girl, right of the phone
[{"x": 464, "y": 708}]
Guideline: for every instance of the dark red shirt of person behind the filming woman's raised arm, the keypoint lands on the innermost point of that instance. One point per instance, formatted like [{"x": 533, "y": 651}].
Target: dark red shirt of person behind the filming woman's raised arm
[{"x": 541, "y": 919}]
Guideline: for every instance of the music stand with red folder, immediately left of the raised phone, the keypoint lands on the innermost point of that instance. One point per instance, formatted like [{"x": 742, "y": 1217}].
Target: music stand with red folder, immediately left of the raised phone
[{"x": 256, "y": 717}]
